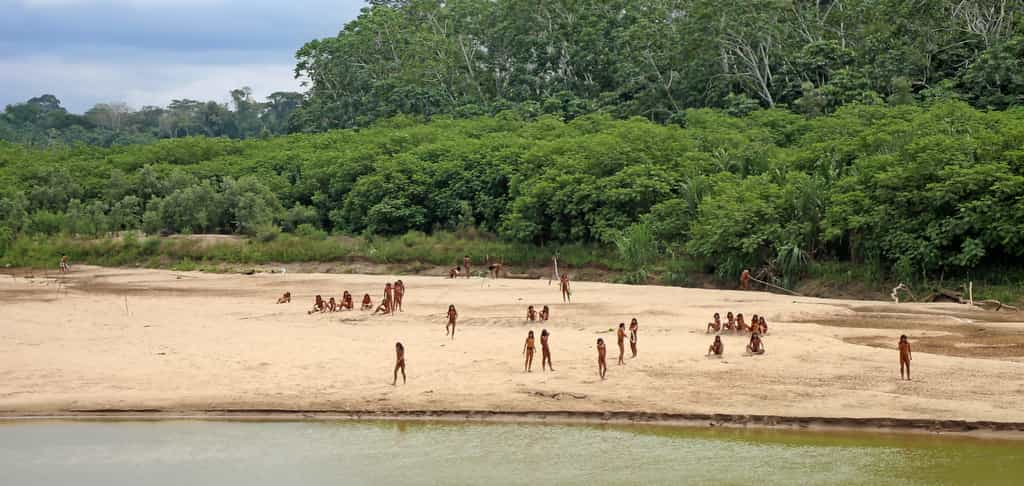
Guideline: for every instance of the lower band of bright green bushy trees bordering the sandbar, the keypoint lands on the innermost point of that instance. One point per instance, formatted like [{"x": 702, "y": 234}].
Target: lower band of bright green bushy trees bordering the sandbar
[{"x": 909, "y": 192}]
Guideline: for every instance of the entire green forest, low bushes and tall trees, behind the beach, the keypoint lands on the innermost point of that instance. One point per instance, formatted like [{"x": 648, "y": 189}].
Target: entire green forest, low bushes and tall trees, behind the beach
[{"x": 766, "y": 134}]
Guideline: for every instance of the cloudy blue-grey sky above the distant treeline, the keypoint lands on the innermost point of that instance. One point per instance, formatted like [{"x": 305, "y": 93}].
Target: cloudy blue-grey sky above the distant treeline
[{"x": 148, "y": 53}]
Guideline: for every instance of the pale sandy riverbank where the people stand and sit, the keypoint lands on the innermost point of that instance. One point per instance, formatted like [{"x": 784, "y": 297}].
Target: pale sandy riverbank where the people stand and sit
[{"x": 187, "y": 342}]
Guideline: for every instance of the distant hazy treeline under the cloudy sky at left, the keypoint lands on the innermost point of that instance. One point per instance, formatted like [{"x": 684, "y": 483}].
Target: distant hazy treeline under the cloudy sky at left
[{"x": 41, "y": 121}]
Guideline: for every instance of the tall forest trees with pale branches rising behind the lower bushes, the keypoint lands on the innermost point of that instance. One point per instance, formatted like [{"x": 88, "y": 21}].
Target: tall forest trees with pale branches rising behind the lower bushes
[{"x": 659, "y": 59}]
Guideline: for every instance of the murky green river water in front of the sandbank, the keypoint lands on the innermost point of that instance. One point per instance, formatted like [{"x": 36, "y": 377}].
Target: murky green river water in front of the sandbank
[{"x": 187, "y": 453}]
